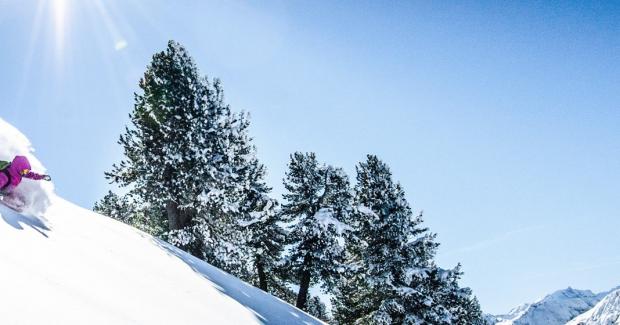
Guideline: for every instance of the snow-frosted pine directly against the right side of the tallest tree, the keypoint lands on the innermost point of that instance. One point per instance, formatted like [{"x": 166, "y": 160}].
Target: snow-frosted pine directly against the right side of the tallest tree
[{"x": 243, "y": 223}]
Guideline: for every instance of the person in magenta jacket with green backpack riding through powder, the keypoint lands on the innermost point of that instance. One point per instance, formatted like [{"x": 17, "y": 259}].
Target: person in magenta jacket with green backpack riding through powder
[{"x": 11, "y": 174}]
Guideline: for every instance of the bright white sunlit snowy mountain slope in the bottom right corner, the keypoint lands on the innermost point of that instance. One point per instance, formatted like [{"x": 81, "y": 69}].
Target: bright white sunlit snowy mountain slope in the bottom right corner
[{"x": 606, "y": 312}]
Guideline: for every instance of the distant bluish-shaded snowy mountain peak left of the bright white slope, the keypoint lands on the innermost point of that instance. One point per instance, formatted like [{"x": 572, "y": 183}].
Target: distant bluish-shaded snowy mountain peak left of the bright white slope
[{"x": 556, "y": 308}]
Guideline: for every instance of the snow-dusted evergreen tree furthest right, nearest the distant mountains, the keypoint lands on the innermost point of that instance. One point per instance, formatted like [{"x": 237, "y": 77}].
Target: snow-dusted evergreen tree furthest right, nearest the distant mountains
[{"x": 392, "y": 256}]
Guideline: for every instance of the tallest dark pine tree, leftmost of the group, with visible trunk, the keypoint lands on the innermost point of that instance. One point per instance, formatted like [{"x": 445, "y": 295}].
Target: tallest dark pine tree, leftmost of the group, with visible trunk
[{"x": 162, "y": 149}]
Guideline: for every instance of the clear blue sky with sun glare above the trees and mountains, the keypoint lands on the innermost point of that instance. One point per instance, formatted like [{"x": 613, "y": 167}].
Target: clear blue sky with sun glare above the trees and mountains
[{"x": 500, "y": 119}]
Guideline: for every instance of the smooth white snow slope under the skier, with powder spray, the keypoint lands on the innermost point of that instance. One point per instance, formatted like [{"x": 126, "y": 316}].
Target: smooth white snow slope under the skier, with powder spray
[{"x": 62, "y": 264}]
